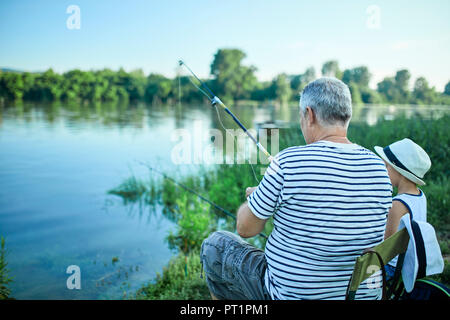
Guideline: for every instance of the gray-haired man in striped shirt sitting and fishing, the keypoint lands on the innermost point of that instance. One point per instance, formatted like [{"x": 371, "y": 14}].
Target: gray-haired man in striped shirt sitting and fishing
[{"x": 329, "y": 200}]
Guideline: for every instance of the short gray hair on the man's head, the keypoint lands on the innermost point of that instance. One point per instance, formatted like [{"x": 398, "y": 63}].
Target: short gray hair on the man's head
[{"x": 330, "y": 99}]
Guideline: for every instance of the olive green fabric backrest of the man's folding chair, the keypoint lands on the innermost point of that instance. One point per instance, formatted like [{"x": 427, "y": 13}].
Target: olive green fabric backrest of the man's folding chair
[{"x": 387, "y": 250}]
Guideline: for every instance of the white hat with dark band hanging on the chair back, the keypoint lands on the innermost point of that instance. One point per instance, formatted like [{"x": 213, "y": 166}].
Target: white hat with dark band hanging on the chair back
[{"x": 423, "y": 256}]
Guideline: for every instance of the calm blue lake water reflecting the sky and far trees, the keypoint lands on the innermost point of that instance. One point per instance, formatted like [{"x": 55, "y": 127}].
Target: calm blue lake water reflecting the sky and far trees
[{"x": 57, "y": 164}]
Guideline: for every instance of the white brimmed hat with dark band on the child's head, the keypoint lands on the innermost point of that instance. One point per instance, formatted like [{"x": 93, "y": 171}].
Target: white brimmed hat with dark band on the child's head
[{"x": 407, "y": 158}]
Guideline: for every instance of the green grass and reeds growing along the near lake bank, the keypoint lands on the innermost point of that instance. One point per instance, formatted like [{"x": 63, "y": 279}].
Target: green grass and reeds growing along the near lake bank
[{"x": 225, "y": 185}]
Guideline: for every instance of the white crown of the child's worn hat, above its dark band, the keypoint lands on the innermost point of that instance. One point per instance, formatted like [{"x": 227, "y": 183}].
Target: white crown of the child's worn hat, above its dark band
[{"x": 412, "y": 156}]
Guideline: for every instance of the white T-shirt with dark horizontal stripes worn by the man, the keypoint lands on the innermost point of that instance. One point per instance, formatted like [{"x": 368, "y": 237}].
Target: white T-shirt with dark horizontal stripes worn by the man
[{"x": 329, "y": 202}]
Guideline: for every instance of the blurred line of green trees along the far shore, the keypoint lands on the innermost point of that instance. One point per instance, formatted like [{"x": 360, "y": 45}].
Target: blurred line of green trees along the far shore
[{"x": 230, "y": 79}]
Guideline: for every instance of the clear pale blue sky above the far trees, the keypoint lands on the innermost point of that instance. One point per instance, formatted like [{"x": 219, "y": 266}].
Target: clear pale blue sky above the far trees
[{"x": 277, "y": 36}]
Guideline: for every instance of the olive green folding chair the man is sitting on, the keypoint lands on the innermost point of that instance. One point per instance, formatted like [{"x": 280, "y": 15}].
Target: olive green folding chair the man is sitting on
[{"x": 379, "y": 256}]
